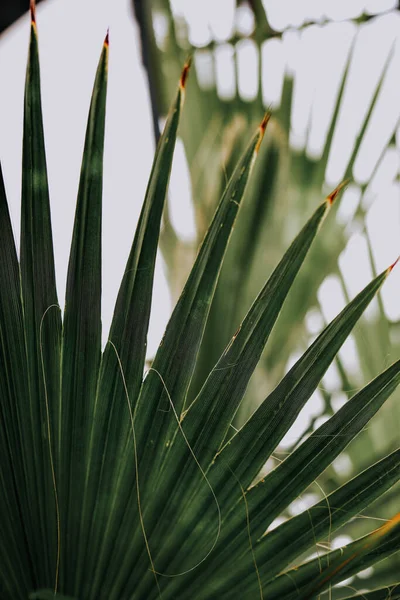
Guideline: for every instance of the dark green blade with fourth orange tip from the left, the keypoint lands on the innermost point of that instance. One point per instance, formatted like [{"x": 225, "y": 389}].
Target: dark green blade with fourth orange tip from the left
[{"x": 175, "y": 360}]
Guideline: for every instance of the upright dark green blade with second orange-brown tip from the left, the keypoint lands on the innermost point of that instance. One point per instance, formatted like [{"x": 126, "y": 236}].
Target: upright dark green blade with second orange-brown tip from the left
[{"x": 81, "y": 347}]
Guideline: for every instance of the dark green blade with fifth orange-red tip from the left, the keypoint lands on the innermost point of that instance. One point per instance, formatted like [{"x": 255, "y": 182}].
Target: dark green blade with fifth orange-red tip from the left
[{"x": 207, "y": 420}]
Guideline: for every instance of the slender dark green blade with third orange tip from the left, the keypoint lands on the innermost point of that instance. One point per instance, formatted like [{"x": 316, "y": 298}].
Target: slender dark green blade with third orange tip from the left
[{"x": 127, "y": 343}]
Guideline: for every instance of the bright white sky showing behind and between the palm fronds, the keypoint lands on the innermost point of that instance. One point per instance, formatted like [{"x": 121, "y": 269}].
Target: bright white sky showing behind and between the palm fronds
[{"x": 71, "y": 36}]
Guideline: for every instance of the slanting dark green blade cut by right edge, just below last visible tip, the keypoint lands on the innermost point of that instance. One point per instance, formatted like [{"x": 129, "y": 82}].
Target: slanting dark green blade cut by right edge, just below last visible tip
[{"x": 266, "y": 500}]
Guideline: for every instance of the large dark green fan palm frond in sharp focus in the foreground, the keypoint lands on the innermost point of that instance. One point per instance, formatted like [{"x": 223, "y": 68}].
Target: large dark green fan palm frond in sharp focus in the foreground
[{"x": 112, "y": 484}]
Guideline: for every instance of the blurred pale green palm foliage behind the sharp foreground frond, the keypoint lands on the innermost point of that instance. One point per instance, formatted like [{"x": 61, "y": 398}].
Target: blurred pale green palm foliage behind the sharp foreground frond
[{"x": 291, "y": 182}]
